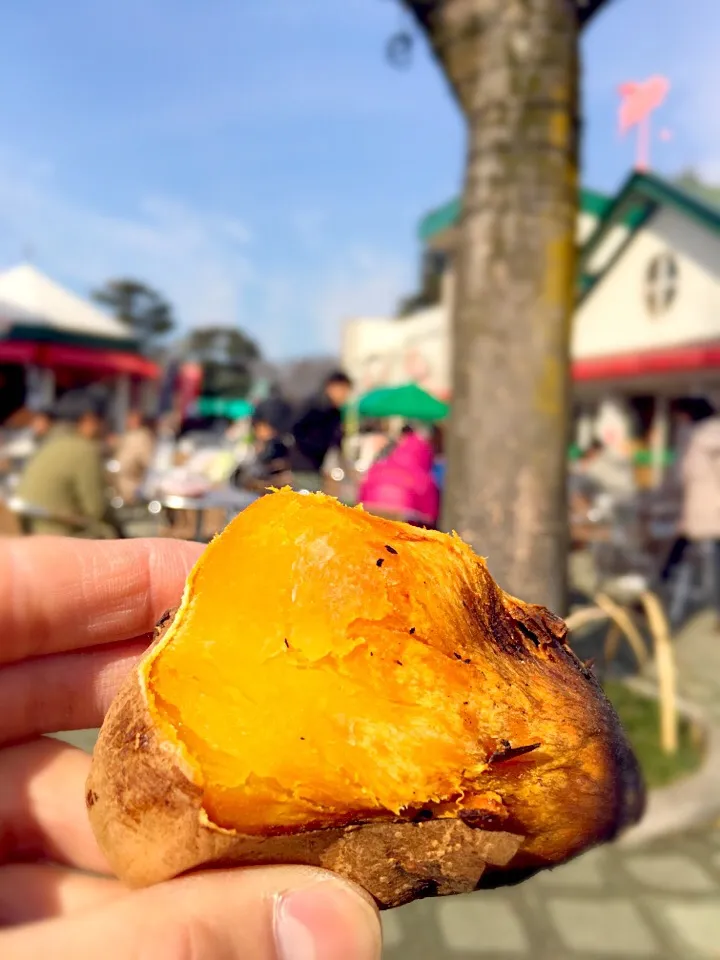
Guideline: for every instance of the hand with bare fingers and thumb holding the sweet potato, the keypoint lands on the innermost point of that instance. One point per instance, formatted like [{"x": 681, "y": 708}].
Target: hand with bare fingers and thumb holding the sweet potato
[{"x": 74, "y": 618}]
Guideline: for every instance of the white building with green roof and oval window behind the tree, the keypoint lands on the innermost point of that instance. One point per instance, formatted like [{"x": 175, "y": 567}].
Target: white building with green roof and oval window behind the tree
[{"x": 647, "y": 323}]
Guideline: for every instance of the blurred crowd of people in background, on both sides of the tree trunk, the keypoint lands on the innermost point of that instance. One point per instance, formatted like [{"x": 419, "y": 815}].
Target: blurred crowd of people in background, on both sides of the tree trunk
[{"x": 75, "y": 470}]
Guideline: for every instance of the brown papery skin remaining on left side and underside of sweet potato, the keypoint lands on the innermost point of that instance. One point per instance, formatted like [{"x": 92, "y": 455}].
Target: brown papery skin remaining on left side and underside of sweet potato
[{"x": 146, "y": 816}]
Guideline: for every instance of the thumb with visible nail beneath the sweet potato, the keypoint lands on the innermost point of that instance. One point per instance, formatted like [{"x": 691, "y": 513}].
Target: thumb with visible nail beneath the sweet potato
[{"x": 276, "y": 913}]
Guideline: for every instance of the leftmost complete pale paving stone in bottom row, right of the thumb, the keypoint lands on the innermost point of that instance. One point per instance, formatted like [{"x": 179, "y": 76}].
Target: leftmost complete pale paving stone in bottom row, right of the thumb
[{"x": 483, "y": 924}]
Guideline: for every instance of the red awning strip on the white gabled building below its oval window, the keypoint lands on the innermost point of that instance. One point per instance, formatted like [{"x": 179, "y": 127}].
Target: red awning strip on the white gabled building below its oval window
[{"x": 695, "y": 359}]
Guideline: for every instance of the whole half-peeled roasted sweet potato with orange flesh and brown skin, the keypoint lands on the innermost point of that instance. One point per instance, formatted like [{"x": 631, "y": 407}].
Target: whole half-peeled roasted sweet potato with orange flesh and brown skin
[{"x": 331, "y": 676}]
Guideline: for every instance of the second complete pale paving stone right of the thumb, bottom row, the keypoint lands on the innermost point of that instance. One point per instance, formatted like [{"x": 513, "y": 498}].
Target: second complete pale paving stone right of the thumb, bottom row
[{"x": 598, "y": 927}]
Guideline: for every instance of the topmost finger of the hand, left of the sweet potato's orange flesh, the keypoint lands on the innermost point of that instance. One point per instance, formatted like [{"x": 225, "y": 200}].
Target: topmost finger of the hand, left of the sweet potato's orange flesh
[{"x": 60, "y": 594}]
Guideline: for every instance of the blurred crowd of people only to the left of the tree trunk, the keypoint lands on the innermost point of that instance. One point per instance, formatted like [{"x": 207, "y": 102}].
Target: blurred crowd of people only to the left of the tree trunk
[{"x": 75, "y": 470}]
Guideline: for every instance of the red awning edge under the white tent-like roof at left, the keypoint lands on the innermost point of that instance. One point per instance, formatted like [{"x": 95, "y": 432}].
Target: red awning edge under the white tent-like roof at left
[{"x": 79, "y": 358}]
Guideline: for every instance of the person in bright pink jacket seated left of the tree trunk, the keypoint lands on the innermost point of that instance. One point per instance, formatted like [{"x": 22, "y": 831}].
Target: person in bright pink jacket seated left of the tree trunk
[{"x": 401, "y": 484}]
